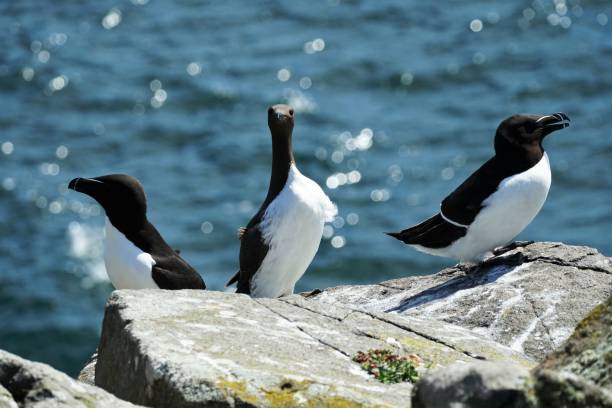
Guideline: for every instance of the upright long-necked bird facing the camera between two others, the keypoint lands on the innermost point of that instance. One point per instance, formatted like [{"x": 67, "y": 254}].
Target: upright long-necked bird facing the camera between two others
[{"x": 281, "y": 240}]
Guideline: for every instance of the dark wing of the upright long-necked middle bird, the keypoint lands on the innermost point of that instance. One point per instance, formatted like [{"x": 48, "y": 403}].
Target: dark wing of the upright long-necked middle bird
[{"x": 253, "y": 250}]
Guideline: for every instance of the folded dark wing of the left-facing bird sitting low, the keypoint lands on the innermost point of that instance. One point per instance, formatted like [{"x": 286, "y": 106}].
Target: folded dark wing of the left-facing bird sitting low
[{"x": 173, "y": 273}]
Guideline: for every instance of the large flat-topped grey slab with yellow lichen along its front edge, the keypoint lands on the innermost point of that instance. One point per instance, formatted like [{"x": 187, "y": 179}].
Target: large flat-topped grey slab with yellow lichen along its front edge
[{"x": 200, "y": 348}]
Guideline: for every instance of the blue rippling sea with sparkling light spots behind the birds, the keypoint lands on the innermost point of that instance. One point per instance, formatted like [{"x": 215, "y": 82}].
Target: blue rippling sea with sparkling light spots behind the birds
[{"x": 397, "y": 102}]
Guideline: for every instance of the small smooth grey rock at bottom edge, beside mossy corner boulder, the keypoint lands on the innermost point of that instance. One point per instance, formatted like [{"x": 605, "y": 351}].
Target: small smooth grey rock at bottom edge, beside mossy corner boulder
[{"x": 481, "y": 384}]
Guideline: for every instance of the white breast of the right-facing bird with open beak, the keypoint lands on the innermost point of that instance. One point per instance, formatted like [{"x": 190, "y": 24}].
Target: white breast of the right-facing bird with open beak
[{"x": 506, "y": 213}]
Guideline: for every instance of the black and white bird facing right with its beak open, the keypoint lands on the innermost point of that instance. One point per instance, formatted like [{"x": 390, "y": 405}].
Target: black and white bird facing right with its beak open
[{"x": 497, "y": 201}]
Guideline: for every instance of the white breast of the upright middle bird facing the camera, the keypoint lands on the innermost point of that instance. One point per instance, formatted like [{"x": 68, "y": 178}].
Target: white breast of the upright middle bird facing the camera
[{"x": 292, "y": 227}]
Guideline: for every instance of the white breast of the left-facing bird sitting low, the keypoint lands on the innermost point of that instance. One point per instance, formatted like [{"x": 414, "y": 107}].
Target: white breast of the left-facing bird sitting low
[{"x": 127, "y": 266}]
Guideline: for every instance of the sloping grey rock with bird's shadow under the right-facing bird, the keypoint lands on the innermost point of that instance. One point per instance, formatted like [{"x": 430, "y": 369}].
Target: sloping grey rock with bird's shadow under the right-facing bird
[{"x": 529, "y": 298}]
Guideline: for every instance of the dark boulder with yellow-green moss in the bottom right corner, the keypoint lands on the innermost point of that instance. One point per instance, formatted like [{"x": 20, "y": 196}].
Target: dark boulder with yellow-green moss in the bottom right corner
[{"x": 580, "y": 373}]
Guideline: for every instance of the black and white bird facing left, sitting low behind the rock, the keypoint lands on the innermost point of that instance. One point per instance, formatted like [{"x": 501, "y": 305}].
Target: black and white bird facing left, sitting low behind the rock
[{"x": 135, "y": 254}]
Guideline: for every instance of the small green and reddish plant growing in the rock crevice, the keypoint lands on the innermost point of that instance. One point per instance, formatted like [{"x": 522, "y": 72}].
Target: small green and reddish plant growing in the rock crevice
[{"x": 387, "y": 367}]
